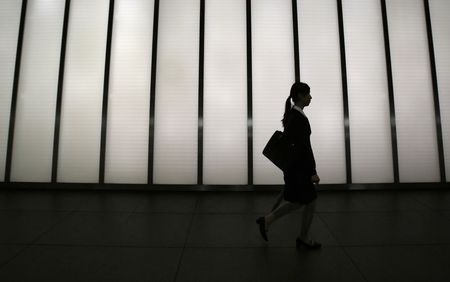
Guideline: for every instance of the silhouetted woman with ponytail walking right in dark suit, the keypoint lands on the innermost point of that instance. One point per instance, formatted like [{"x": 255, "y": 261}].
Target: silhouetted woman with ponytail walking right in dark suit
[{"x": 300, "y": 175}]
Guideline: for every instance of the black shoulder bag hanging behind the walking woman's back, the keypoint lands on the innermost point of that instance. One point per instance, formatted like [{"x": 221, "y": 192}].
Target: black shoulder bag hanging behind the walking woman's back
[{"x": 278, "y": 149}]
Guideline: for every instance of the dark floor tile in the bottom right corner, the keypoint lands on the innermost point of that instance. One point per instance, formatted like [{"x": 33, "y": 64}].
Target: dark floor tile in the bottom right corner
[{"x": 403, "y": 263}]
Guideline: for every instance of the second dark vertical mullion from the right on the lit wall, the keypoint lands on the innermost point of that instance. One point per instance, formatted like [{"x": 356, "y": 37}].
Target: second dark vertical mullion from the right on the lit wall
[{"x": 391, "y": 91}]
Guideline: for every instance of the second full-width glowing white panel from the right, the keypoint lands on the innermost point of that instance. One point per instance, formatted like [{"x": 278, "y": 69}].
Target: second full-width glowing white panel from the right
[{"x": 368, "y": 97}]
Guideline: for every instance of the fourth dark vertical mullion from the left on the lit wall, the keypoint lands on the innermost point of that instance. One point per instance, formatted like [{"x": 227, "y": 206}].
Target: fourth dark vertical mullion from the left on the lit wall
[{"x": 152, "y": 92}]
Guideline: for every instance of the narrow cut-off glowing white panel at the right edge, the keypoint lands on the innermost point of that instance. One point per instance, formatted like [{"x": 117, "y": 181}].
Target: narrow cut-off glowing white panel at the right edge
[{"x": 440, "y": 21}]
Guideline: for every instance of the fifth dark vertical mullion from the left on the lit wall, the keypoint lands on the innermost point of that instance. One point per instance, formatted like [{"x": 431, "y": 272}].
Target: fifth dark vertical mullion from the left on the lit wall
[{"x": 200, "y": 93}]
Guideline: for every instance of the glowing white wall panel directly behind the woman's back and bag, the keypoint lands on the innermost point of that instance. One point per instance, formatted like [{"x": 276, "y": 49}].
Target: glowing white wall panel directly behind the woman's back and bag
[{"x": 273, "y": 75}]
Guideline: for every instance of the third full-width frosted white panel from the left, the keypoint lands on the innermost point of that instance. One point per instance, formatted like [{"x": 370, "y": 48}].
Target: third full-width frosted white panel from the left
[{"x": 129, "y": 93}]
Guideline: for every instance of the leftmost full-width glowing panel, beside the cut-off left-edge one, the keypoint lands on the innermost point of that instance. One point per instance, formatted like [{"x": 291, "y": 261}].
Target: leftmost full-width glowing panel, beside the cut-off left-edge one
[{"x": 36, "y": 101}]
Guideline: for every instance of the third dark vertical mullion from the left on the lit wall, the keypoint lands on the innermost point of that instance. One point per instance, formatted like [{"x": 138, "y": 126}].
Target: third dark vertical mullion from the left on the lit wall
[{"x": 105, "y": 93}]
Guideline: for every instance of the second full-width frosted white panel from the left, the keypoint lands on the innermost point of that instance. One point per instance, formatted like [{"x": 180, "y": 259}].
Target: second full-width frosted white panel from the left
[{"x": 81, "y": 112}]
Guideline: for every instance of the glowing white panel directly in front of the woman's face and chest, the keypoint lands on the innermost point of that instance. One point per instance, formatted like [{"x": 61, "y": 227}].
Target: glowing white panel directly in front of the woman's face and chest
[{"x": 320, "y": 67}]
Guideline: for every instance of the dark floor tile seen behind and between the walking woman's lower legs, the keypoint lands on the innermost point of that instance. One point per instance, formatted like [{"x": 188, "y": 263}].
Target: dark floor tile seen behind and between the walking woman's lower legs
[{"x": 232, "y": 230}]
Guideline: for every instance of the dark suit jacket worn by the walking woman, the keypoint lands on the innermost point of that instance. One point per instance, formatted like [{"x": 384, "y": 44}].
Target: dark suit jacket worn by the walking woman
[{"x": 297, "y": 131}]
